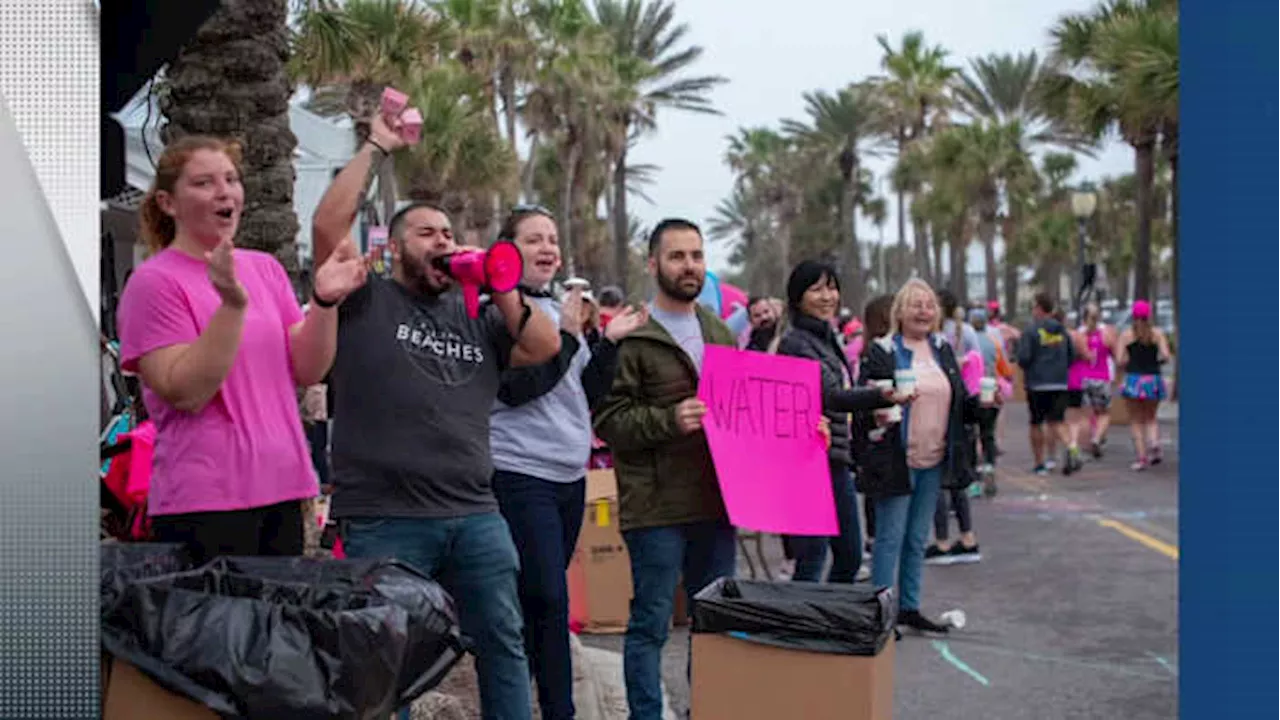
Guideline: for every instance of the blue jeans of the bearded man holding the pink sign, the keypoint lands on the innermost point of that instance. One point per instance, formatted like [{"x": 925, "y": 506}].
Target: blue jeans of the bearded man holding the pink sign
[{"x": 705, "y": 553}]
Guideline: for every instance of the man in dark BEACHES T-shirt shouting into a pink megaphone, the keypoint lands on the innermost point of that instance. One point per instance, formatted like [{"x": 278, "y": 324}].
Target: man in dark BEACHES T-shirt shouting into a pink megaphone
[{"x": 417, "y": 373}]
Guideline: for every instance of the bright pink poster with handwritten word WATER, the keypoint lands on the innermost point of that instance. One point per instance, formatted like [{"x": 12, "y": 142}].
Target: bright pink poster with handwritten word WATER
[{"x": 762, "y": 427}]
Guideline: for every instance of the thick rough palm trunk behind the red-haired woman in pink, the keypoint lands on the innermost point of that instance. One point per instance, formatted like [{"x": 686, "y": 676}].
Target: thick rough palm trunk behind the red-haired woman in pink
[{"x": 231, "y": 81}]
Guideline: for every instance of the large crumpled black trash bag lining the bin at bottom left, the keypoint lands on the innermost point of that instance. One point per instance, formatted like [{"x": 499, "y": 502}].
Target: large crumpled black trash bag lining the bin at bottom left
[{"x": 289, "y": 639}]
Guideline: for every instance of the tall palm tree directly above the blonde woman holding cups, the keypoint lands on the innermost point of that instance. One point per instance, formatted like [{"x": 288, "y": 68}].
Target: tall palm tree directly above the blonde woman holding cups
[{"x": 916, "y": 88}]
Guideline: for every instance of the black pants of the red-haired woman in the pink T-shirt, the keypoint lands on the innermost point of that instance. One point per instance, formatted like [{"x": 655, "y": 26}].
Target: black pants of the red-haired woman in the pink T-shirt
[{"x": 272, "y": 531}]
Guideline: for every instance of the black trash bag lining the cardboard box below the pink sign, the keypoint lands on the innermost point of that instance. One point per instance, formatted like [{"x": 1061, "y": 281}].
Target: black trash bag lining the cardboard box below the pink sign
[{"x": 839, "y": 619}]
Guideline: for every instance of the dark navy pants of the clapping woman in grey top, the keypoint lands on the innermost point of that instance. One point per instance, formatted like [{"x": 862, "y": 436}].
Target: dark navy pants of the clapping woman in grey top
[{"x": 545, "y": 521}]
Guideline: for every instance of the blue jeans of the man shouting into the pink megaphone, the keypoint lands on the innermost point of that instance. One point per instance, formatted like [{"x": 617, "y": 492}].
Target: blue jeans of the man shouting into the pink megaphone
[{"x": 474, "y": 559}]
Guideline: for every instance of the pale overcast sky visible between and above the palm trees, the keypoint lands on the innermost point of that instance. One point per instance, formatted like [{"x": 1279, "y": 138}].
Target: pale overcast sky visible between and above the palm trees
[{"x": 772, "y": 52}]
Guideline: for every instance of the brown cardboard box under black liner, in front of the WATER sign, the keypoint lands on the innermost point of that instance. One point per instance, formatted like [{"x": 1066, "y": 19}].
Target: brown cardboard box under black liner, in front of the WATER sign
[{"x": 746, "y": 681}]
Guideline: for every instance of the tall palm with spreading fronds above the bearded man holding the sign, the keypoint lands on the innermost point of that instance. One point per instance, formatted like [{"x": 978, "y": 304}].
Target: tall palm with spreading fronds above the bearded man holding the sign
[{"x": 646, "y": 34}]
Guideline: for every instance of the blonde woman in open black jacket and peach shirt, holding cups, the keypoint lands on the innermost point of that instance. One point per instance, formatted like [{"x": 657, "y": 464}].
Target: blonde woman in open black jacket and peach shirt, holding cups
[{"x": 904, "y": 464}]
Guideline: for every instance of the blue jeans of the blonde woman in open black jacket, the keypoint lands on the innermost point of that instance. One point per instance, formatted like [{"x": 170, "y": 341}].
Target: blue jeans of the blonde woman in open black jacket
[{"x": 902, "y": 532}]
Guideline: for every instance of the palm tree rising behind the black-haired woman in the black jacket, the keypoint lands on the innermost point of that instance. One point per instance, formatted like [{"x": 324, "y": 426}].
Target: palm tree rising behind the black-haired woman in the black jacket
[{"x": 842, "y": 130}]
